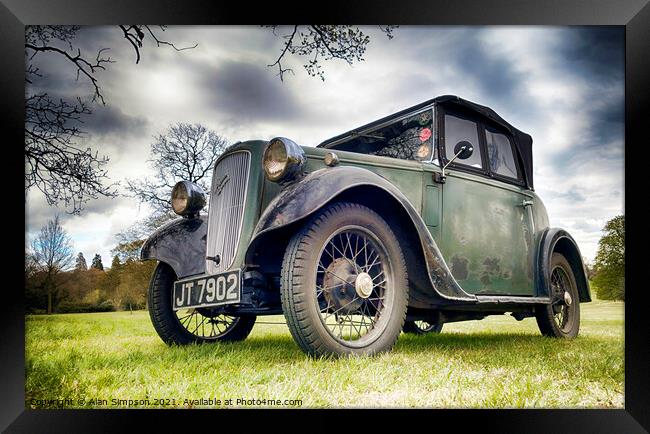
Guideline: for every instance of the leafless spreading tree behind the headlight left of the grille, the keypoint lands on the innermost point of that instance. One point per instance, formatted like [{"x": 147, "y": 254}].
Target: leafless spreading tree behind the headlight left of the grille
[{"x": 184, "y": 152}]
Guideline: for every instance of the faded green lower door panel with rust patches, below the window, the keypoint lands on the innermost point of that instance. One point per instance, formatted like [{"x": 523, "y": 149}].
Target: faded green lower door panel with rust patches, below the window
[{"x": 485, "y": 225}]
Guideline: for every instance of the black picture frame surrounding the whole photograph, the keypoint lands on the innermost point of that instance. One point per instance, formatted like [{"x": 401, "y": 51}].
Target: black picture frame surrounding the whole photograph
[{"x": 634, "y": 15}]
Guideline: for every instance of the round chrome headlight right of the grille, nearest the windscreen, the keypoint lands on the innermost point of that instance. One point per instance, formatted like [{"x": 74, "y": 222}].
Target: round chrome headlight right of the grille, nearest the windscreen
[{"x": 283, "y": 160}]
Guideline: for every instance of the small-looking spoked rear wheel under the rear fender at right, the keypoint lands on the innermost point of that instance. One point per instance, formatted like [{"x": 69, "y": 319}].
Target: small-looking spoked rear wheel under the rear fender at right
[{"x": 560, "y": 319}]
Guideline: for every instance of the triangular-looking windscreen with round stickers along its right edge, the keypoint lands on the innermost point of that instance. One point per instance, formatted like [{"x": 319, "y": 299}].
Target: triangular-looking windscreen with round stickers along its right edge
[{"x": 410, "y": 138}]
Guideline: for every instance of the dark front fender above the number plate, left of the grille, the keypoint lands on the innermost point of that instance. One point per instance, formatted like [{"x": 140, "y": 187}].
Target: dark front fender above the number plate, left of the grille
[{"x": 181, "y": 244}]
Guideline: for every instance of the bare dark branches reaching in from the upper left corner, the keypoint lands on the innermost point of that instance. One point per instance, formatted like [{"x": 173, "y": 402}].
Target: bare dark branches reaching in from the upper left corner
[{"x": 62, "y": 171}]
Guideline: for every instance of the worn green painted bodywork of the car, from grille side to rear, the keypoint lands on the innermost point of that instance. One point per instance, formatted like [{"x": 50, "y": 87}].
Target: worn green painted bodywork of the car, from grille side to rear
[{"x": 478, "y": 223}]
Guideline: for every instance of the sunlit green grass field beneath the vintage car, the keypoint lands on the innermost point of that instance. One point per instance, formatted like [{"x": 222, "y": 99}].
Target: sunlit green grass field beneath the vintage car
[{"x": 497, "y": 362}]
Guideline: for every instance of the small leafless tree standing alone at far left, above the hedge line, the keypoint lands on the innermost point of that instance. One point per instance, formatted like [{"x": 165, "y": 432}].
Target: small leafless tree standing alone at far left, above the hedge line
[{"x": 52, "y": 253}]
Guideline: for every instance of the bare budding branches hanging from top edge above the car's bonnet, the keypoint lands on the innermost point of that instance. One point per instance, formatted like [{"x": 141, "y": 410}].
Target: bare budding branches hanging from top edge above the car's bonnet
[{"x": 322, "y": 42}]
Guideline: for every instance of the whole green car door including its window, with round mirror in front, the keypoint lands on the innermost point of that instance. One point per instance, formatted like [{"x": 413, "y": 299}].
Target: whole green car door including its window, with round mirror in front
[{"x": 485, "y": 228}]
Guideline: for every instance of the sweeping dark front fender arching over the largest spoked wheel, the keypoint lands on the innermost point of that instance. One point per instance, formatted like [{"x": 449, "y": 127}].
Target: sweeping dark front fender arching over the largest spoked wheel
[{"x": 304, "y": 197}]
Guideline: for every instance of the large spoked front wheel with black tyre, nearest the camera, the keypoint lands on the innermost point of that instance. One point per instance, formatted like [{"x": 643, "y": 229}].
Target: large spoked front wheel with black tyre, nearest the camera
[{"x": 310, "y": 309}]
